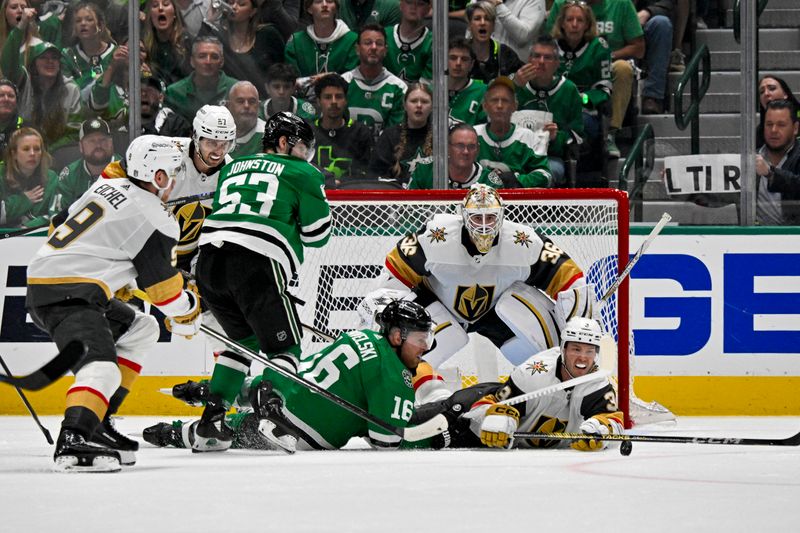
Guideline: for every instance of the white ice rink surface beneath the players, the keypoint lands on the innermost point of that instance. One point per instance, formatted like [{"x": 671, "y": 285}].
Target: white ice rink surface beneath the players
[{"x": 659, "y": 487}]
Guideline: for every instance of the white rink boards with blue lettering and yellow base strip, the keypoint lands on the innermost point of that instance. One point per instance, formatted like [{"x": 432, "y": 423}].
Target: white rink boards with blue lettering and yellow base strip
[{"x": 715, "y": 314}]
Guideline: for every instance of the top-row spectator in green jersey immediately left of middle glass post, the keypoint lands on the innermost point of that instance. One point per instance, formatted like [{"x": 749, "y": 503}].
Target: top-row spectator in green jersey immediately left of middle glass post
[{"x": 410, "y": 43}]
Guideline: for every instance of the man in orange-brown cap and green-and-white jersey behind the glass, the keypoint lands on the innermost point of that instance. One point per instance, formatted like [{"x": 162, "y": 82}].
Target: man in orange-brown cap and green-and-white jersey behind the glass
[{"x": 505, "y": 147}]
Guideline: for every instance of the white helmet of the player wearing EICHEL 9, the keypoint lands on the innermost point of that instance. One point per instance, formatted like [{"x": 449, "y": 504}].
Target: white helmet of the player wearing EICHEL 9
[{"x": 148, "y": 154}]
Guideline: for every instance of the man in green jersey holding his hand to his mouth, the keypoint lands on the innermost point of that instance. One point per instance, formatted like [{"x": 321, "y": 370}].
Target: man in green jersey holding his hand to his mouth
[{"x": 541, "y": 89}]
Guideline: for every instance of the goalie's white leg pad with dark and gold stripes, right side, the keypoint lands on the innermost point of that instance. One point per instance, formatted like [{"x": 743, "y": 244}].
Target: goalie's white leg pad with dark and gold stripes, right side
[{"x": 529, "y": 313}]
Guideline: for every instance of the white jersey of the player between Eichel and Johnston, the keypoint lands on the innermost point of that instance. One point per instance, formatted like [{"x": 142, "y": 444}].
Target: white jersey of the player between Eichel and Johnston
[{"x": 191, "y": 215}]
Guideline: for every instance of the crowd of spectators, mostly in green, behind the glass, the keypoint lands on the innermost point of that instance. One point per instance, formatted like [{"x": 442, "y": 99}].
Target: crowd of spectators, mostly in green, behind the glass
[{"x": 536, "y": 82}]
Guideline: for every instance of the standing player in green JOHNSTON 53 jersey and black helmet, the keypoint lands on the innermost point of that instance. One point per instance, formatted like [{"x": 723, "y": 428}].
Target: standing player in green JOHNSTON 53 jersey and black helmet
[{"x": 267, "y": 208}]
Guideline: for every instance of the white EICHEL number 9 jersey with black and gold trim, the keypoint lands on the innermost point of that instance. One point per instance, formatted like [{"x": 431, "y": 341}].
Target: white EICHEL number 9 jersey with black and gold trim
[{"x": 115, "y": 233}]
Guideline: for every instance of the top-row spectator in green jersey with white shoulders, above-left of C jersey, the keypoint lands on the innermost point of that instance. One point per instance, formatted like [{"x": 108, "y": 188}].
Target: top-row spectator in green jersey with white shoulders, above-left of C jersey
[{"x": 326, "y": 45}]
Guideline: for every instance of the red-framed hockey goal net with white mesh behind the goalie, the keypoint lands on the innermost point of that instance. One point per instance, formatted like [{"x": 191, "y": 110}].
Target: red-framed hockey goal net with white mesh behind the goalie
[{"x": 591, "y": 225}]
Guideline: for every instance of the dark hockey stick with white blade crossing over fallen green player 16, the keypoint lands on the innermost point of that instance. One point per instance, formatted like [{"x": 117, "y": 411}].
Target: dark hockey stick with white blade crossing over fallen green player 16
[{"x": 430, "y": 428}]
